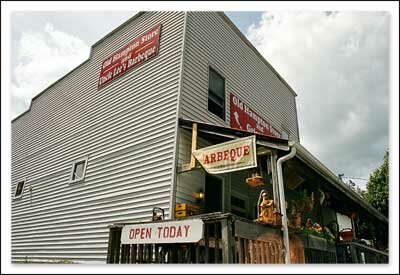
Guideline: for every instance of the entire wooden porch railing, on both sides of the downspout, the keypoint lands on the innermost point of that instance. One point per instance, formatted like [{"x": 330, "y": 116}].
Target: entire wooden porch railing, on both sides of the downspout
[{"x": 228, "y": 238}]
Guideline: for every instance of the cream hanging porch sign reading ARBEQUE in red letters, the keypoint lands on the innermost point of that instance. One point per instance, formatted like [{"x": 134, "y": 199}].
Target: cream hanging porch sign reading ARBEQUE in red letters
[{"x": 234, "y": 155}]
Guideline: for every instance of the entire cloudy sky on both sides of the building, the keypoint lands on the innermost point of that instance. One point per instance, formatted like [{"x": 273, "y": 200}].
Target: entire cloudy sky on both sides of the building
[{"x": 337, "y": 62}]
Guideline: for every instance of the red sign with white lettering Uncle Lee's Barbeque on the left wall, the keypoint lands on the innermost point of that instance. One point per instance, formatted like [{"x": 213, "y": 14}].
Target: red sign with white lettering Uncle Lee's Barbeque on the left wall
[{"x": 136, "y": 52}]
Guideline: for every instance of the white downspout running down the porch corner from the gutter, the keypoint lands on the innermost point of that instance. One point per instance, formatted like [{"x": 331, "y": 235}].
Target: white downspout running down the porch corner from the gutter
[{"x": 282, "y": 203}]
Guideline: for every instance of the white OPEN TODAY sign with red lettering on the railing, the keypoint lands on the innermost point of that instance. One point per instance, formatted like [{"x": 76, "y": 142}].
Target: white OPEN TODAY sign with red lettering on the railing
[{"x": 187, "y": 231}]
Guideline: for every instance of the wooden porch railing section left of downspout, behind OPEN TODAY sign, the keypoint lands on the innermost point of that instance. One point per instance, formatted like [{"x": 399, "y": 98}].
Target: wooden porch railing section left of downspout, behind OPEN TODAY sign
[{"x": 227, "y": 239}]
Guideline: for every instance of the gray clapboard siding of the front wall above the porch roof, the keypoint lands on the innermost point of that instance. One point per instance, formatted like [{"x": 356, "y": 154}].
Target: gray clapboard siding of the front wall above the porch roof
[{"x": 210, "y": 41}]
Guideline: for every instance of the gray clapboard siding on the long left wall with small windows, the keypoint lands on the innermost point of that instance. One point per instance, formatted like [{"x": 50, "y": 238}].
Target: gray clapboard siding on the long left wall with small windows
[{"x": 127, "y": 130}]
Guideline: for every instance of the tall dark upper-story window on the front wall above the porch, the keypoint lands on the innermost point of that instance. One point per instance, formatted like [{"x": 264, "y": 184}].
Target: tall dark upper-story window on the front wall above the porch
[{"x": 216, "y": 94}]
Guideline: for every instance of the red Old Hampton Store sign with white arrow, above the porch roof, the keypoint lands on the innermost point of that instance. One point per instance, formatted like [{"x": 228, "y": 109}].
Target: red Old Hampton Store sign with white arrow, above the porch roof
[{"x": 244, "y": 118}]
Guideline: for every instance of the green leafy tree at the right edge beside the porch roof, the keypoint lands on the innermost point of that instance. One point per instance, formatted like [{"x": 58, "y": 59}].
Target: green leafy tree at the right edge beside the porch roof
[{"x": 378, "y": 187}]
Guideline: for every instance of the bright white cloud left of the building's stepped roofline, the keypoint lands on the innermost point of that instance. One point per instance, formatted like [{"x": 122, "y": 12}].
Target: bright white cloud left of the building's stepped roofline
[{"x": 42, "y": 58}]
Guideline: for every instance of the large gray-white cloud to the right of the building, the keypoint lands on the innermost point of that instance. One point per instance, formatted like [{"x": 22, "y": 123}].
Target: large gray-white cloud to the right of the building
[{"x": 338, "y": 63}]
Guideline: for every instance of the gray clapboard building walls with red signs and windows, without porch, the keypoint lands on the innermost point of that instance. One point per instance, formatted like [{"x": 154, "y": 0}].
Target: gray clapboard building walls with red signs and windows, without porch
[{"x": 98, "y": 148}]
